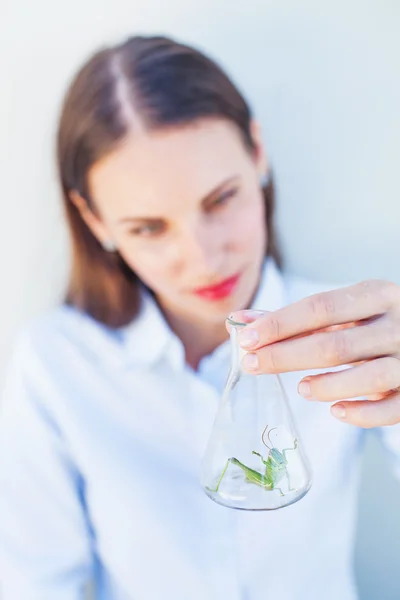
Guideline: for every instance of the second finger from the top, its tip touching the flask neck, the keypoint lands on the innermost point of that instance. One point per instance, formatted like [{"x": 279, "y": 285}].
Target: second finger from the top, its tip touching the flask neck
[{"x": 328, "y": 349}]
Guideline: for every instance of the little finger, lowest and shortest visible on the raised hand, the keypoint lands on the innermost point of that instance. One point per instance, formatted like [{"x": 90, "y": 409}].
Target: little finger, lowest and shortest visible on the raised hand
[{"x": 369, "y": 414}]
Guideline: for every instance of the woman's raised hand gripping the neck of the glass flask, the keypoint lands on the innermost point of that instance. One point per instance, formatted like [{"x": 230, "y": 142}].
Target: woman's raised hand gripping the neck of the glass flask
[{"x": 357, "y": 326}]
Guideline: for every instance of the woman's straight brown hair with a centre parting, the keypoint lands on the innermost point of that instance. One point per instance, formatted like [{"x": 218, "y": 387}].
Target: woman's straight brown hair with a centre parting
[{"x": 166, "y": 83}]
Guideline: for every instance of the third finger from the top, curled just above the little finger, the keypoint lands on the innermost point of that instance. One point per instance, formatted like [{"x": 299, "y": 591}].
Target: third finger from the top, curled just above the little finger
[{"x": 372, "y": 379}]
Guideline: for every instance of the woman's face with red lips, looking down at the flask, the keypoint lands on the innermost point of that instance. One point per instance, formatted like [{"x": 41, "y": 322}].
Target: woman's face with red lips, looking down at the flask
[{"x": 185, "y": 210}]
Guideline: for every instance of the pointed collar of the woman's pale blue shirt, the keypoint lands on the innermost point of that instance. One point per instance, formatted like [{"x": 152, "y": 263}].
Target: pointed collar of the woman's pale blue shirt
[{"x": 148, "y": 338}]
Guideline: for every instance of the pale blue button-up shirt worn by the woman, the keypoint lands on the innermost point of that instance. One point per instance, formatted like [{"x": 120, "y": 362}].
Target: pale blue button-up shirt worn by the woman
[{"x": 103, "y": 432}]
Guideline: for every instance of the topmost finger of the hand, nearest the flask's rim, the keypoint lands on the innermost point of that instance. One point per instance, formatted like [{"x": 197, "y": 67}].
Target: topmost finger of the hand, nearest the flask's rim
[{"x": 354, "y": 303}]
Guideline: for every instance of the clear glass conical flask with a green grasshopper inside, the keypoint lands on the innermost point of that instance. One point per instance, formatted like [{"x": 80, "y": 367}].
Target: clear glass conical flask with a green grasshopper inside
[{"x": 254, "y": 458}]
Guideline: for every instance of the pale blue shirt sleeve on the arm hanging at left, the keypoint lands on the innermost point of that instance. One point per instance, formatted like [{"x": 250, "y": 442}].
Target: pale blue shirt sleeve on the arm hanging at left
[{"x": 45, "y": 541}]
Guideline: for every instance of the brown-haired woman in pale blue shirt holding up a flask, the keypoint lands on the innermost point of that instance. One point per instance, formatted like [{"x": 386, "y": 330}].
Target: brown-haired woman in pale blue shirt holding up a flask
[{"x": 111, "y": 398}]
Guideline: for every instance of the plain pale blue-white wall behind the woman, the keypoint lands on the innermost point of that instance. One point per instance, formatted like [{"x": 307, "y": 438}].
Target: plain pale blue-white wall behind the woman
[{"x": 324, "y": 80}]
